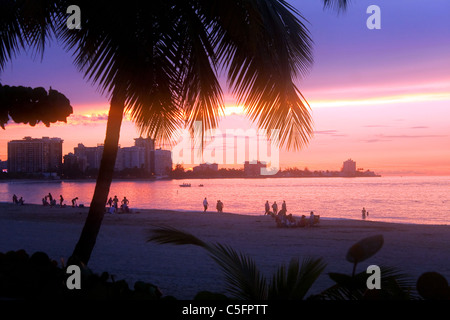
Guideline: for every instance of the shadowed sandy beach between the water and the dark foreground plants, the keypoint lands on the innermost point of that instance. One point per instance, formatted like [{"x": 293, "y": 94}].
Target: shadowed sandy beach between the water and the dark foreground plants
[{"x": 182, "y": 271}]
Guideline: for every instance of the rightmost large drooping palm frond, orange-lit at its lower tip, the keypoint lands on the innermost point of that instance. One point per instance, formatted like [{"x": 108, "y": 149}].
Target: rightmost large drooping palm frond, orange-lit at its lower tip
[{"x": 265, "y": 47}]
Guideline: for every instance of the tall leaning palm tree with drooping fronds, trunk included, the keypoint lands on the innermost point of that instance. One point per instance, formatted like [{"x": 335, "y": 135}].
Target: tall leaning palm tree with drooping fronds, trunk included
[{"x": 161, "y": 63}]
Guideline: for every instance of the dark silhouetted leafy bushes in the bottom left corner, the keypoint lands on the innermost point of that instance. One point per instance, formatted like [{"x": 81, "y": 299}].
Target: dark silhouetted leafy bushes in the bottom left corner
[{"x": 37, "y": 277}]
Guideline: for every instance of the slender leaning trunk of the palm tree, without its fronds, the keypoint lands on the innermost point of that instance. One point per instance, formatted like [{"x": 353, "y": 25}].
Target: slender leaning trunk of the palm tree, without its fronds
[{"x": 86, "y": 243}]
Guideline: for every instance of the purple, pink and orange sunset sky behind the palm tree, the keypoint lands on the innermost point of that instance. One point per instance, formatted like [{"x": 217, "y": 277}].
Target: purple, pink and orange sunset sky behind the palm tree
[{"x": 380, "y": 97}]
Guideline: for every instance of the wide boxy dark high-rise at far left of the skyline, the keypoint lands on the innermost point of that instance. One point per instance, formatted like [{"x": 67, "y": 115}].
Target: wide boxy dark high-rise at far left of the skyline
[{"x": 32, "y": 155}]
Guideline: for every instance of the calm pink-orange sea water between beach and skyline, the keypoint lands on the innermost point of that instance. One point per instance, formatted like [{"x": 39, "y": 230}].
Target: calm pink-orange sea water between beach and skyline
[{"x": 423, "y": 200}]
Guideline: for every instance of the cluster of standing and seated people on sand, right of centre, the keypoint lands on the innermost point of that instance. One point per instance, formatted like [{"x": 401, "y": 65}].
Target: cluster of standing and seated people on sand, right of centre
[{"x": 288, "y": 220}]
